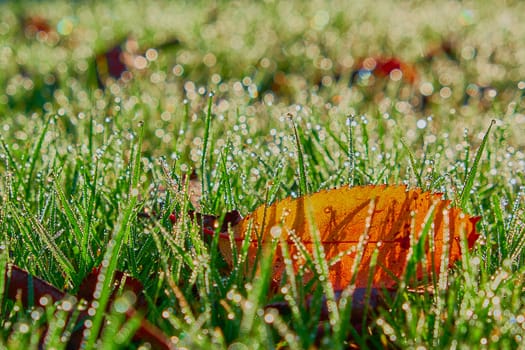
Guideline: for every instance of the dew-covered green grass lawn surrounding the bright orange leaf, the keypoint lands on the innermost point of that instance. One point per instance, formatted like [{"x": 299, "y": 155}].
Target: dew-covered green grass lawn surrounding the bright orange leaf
[{"x": 107, "y": 107}]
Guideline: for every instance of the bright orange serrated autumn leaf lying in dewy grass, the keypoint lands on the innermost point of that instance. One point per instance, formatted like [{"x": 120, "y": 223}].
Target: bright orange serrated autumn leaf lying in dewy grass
[{"x": 396, "y": 216}]
